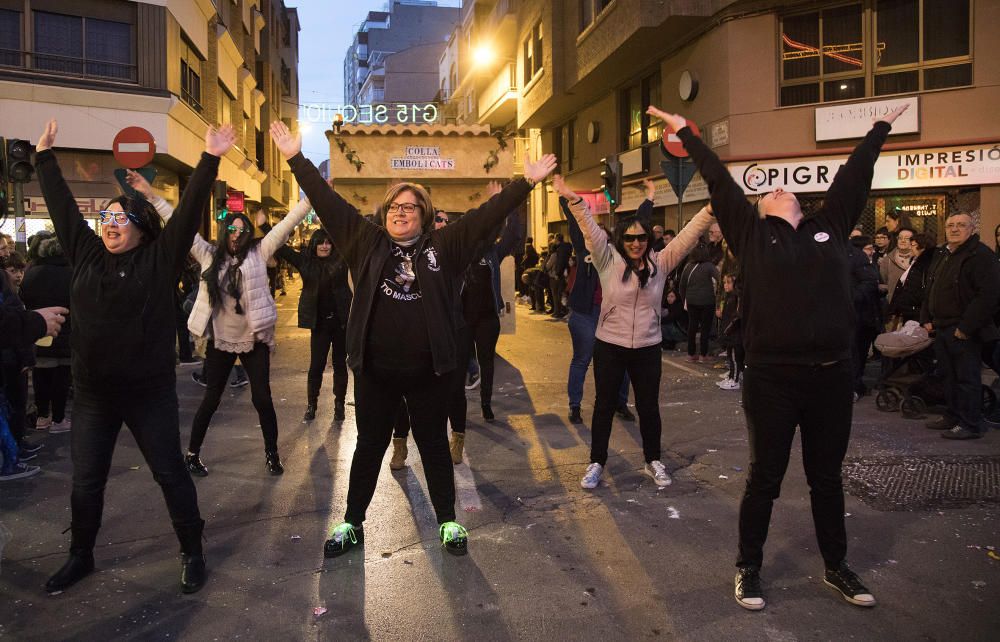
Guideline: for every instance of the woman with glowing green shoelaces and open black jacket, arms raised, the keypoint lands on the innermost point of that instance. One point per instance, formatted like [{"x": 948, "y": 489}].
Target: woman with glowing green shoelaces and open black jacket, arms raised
[{"x": 401, "y": 332}]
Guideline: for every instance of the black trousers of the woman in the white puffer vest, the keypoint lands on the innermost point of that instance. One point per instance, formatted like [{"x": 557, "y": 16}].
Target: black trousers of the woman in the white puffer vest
[{"x": 218, "y": 363}]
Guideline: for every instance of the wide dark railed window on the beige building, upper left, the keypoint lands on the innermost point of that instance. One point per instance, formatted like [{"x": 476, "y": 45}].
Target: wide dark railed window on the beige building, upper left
[{"x": 83, "y": 46}]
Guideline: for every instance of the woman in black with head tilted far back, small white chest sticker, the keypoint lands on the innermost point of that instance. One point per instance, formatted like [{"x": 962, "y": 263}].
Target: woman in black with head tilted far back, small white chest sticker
[{"x": 798, "y": 331}]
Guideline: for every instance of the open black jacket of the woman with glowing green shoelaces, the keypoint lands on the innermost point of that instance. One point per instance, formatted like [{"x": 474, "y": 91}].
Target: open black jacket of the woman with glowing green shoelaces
[{"x": 443, "y": 255}]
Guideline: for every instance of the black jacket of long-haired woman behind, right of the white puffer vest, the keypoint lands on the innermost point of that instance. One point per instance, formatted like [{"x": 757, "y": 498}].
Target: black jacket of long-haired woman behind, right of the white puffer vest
[{"x": 312, "y": 269}]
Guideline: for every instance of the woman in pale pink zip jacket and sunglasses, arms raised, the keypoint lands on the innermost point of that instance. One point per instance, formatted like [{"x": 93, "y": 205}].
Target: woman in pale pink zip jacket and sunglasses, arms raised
[{"x": 628, "y": 334}]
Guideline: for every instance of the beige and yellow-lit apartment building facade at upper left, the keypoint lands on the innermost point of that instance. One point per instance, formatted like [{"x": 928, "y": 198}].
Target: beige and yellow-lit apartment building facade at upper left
[{"x": 171, "y": 68}]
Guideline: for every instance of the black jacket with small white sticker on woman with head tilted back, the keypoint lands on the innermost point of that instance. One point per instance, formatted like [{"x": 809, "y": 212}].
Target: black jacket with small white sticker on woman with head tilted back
[{"x": 796, "y": 297}]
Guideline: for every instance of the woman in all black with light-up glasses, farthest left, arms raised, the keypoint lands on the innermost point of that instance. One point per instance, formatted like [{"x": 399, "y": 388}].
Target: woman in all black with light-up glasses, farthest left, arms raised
[{"x": 123, "y": 349}]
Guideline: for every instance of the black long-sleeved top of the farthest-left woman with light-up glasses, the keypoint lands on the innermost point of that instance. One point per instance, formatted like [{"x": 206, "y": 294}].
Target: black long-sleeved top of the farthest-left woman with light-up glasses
[{"x": 122, "y": 305}]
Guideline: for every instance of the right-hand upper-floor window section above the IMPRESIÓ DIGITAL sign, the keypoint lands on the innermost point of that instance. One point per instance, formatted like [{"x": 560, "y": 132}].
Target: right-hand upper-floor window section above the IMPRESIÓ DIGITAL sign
[{"x": 922, "y": 45}]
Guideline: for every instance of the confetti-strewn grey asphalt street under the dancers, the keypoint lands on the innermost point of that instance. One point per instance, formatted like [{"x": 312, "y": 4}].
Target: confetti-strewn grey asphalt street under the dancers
[{"x": 547, "y": 560}]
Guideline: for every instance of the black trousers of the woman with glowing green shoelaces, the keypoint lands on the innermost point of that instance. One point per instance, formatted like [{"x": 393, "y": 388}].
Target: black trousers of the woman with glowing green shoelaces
[{"x": 377, "y": 398}]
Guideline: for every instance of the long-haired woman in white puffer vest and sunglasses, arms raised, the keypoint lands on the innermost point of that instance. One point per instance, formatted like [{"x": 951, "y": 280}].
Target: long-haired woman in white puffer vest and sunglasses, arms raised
[{"x": 234, "y": 309}]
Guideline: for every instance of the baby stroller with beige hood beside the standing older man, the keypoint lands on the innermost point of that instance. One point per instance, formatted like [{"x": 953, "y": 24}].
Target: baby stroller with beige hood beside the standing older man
[{"x": 908, "y": 383}]
